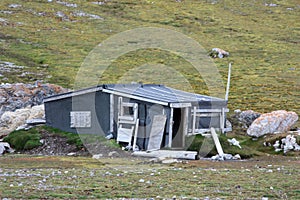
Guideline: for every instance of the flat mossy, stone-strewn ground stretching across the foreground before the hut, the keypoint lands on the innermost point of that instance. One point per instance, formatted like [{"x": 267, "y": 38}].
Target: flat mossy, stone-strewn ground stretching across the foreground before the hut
[{"x": 85, "y": 178}]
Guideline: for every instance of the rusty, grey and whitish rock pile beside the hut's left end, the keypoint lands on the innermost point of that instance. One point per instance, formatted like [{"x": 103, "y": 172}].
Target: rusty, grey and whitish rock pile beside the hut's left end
[{"x": 22, "y": 102}]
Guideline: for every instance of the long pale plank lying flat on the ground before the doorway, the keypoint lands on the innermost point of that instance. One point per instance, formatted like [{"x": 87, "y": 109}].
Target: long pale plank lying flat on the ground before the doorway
[{"x": 188, "y": 155}]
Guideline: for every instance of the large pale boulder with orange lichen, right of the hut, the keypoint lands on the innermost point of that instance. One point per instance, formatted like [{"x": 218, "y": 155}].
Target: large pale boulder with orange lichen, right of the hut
[{"x": 275, "y": 122}]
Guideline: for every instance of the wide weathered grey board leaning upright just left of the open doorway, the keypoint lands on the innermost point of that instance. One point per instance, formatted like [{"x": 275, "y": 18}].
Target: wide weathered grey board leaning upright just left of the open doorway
[{"x": 156, "y": 132}]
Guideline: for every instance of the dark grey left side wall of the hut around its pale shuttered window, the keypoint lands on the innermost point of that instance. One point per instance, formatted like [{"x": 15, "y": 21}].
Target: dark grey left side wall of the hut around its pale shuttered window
[{"x": 58, "y": 112}]
